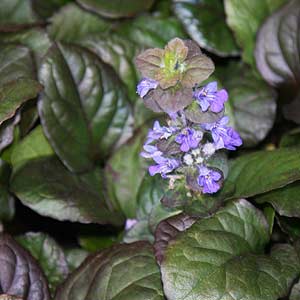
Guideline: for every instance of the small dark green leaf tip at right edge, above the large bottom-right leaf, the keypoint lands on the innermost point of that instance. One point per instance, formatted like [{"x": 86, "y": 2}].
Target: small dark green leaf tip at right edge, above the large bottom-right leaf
[{"x": 286, "y": 200}]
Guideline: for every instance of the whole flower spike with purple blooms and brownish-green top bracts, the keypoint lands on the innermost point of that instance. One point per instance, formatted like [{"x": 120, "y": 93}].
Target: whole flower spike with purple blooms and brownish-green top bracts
[{"x": 196, "y": 125}]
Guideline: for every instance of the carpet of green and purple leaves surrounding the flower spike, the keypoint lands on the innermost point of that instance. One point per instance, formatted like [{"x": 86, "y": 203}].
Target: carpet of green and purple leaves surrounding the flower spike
[{"x": 80, "y": 216}]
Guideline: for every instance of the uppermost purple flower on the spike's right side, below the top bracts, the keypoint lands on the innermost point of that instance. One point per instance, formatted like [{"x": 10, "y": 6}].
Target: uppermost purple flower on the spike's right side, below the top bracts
[{"x": 209, "y": 97}]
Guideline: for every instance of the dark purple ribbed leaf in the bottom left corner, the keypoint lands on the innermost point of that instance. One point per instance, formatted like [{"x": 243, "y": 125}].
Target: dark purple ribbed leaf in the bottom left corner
[{"x": 20, "y": 274}]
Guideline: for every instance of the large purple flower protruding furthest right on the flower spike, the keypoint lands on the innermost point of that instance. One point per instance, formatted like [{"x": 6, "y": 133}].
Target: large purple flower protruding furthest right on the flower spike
[{"x": 223, "y": 136}]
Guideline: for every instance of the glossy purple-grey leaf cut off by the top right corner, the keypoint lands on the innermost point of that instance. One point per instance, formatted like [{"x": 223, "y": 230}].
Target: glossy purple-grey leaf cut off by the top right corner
[{"x": 277, "y": 51}]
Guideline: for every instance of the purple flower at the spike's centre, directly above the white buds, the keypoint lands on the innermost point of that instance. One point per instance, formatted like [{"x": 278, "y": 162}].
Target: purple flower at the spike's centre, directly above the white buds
[{"x": 189, "y": 139}]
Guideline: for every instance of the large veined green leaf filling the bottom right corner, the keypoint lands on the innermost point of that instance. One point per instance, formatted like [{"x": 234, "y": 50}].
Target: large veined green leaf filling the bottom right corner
[{"x": 220, "y": 257}]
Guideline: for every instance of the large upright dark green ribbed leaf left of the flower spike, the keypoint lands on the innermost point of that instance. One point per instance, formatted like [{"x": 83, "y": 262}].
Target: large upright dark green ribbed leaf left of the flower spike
[{"x": 84, "y": 108}]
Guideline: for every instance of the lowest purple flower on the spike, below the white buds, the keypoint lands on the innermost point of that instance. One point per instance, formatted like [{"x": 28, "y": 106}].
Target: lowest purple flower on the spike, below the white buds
[{"x": 208, "y": 179}]
